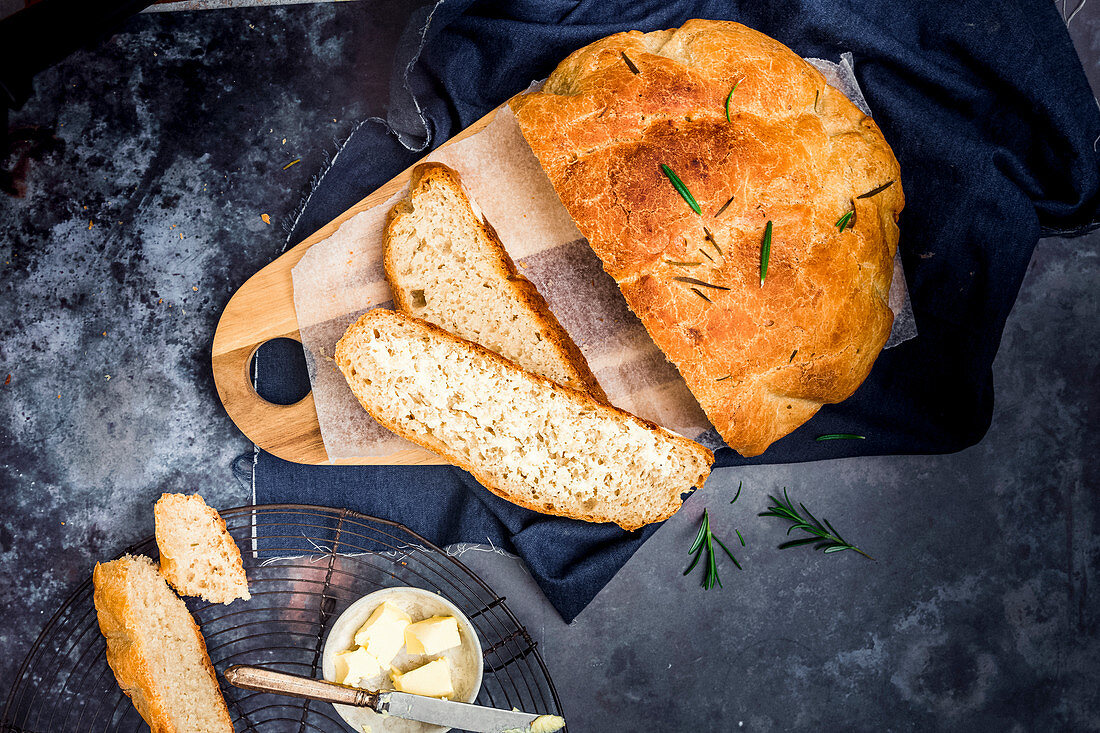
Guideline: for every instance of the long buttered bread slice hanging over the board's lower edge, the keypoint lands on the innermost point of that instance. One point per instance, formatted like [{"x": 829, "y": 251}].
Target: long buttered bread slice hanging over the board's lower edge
[{"x": 525, "y": 439}]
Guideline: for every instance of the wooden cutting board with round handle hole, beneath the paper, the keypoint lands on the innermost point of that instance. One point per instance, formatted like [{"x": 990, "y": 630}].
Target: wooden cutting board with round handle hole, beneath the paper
[{"x": 263, "y": 310}]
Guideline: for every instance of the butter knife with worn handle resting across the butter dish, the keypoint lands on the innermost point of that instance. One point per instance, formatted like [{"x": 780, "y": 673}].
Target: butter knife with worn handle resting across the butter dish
[{"x": 400, "y": 705}]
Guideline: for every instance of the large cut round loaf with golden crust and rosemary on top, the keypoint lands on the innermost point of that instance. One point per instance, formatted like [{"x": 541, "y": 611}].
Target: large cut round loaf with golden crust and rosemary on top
[{"x": 761, "y": 354}]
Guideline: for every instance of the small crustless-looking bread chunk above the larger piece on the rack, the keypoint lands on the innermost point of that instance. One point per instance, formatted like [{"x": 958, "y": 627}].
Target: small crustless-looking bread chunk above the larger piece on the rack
[{"x": 199, "y": 556}]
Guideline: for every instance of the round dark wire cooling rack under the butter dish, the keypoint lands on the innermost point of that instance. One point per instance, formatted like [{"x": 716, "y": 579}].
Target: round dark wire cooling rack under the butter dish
[{"x": 305, "y": 566}]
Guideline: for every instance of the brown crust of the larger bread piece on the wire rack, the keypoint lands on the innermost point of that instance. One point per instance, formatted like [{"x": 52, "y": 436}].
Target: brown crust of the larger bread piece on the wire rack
[{"x": 117, "y": 622}]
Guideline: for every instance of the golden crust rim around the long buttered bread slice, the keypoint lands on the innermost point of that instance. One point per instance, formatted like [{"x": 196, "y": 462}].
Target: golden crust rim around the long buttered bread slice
[{"x": 426, "y": 441}]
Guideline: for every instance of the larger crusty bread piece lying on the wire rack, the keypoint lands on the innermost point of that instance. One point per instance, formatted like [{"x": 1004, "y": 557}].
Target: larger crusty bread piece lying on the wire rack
[{"x": 157, "y": 651}]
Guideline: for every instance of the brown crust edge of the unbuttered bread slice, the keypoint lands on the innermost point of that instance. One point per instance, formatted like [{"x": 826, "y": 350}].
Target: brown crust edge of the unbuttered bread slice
[{"x": 523, "y": 289}]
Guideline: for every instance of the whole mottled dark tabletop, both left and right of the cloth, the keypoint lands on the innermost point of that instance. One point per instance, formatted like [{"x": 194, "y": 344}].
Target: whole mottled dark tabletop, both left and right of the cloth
[{"x": 978, "y": 614}]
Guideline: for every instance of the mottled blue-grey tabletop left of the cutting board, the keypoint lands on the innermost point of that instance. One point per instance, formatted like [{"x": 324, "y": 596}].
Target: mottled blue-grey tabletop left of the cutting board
[{"x": 158, "y": 152}]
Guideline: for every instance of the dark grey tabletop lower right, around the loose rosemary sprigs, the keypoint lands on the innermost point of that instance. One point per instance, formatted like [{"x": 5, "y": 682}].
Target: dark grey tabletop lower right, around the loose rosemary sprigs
[{"x": 981, "y": 614}]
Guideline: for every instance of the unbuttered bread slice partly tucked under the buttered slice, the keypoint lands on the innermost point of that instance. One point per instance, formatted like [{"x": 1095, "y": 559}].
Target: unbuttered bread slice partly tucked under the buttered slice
[{"x": 446, "y": 265}]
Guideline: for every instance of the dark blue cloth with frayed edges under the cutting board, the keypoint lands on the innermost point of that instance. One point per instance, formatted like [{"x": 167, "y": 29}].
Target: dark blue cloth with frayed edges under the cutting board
[{"x": 987, "y": 110}]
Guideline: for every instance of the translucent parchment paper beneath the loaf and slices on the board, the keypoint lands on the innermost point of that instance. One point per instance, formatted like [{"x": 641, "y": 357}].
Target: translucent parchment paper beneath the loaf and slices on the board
[{"x": 342, "y": 278}]
